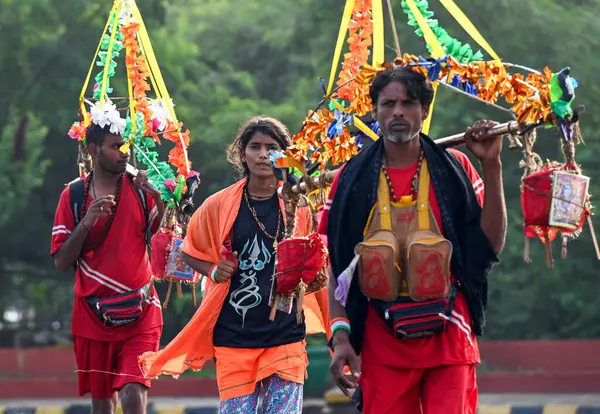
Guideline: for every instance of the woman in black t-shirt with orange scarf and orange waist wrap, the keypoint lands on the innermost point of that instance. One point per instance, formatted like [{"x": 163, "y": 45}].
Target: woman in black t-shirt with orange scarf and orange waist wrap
[{"x": 230, "y": 238}]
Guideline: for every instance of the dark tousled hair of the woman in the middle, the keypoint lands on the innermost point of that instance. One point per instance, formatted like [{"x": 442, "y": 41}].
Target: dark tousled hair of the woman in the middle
[{"x": 264, "y": 124}]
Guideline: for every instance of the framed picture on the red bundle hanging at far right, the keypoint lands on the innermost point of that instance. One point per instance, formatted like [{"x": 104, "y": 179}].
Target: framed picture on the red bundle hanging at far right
[{"x": 569, "y": 196}]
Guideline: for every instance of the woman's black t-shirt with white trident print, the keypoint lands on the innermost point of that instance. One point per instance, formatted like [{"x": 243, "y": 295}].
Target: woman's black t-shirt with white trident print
[{"x": 244, "y": 319}]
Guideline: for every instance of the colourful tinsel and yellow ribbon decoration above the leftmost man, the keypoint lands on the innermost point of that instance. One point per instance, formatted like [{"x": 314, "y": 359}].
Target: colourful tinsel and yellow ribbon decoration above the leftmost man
[{"x": 153, "y": 116}]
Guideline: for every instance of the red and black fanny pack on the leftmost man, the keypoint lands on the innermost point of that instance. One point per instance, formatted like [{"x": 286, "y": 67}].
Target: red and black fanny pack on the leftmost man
[{"x": 121, "y": 309}]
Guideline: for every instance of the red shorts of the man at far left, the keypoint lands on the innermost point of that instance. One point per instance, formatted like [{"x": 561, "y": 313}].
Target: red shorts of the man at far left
[{"x": 105, "y": 367}]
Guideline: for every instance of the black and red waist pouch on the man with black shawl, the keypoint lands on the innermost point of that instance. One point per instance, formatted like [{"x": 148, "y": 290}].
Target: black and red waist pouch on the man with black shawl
[{"x": 410, "y": 319}]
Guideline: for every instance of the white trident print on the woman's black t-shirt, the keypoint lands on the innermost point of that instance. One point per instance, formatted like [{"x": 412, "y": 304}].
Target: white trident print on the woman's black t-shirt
[{"x": 253, "y": 259}]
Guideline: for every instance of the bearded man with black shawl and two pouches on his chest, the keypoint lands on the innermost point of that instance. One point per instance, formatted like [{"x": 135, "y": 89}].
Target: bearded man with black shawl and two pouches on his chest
[{"x": 411, "y": 249}]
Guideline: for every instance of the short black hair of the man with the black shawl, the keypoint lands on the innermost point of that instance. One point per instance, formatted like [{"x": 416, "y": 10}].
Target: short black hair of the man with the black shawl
[{"x": 417, "y": 86}]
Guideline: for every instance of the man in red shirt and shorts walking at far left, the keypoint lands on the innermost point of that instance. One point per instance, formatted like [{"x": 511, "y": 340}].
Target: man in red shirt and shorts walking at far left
[{"x": 117, "y": 315}]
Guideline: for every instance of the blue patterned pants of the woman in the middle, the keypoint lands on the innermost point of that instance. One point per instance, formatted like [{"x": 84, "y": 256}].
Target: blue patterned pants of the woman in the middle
[{"x": 281, "y": 396}]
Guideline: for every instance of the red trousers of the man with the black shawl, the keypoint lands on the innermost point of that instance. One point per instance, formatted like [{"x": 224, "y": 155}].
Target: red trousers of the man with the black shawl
[{"x": 449, "y": 389}]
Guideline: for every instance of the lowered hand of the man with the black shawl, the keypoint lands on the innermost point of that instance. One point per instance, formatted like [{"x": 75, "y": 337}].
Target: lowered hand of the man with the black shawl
[{"x": 343, "y": 354}]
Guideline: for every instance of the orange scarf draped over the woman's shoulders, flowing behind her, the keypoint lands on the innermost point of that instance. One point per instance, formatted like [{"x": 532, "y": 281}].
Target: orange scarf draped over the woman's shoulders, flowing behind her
[{"x": 208, "y": 229}]
